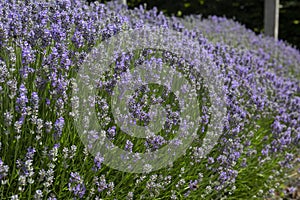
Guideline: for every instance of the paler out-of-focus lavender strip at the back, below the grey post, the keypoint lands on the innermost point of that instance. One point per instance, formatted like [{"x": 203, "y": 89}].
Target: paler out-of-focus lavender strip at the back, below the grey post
[{"x": 282, "y": 58}]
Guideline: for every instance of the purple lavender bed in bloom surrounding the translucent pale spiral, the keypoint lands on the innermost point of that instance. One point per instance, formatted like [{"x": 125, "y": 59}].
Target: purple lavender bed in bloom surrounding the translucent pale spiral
[{"x": 42, "y": 45}]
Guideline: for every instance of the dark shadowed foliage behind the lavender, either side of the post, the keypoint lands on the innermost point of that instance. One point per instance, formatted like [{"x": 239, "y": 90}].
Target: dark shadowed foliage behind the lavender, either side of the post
[{"x": 248, "y": 12}]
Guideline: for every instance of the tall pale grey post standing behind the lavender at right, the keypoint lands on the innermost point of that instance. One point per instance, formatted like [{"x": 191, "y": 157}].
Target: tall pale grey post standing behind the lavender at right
[{"x": 271, "y": 18}]
